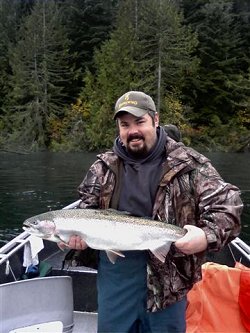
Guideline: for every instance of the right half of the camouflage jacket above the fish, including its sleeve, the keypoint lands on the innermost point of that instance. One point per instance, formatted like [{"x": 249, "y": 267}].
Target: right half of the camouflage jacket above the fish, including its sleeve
[{"x": 196, "y": 194}]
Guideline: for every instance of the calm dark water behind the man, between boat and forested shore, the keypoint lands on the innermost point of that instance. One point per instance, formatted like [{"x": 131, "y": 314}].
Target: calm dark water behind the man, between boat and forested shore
[{"x": 35, "y": 183}]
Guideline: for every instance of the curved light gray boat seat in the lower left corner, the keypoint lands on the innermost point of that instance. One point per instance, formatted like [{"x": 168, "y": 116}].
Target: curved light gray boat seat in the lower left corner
[{"x": 37, "y": 301}]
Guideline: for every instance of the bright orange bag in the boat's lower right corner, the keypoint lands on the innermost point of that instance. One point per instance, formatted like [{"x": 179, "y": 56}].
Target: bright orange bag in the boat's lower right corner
[{"x": 221, "y": 301}]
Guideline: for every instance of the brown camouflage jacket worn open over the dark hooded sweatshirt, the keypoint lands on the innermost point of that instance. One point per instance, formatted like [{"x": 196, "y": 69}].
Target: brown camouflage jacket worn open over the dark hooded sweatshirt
[{"x": 190, "y": 192}]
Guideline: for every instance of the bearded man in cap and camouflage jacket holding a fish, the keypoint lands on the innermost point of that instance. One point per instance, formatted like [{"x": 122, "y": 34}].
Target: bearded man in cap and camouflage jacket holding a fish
[{"x": 148, "y": 174}]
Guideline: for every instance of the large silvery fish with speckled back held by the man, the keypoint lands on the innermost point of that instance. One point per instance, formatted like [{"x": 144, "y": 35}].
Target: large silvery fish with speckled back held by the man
[{"x": 108, "y": 230}]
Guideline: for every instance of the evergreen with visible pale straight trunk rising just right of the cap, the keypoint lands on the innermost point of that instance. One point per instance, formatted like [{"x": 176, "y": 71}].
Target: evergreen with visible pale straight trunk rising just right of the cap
[{"x": 165, "y": 60}]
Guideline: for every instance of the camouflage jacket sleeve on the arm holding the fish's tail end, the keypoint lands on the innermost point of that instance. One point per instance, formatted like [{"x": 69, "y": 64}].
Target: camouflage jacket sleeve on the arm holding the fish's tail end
[{"x": 219, "y": 206}]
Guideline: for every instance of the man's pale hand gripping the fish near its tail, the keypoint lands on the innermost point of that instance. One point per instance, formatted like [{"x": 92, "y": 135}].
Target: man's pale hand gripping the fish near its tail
[{"x": 193, "y": 242}]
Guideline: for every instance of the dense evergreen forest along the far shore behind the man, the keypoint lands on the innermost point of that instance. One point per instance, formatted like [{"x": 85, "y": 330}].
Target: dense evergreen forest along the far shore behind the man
[{"x": 63, "y": 64}]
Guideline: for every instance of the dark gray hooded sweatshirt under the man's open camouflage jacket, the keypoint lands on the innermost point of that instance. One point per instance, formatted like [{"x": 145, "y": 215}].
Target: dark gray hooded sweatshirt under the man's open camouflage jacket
[{"x": 140, "y": 177}]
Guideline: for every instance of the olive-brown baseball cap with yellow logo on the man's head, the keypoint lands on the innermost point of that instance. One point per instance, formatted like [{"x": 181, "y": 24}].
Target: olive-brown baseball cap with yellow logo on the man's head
[{"x": 136, "y": 103}]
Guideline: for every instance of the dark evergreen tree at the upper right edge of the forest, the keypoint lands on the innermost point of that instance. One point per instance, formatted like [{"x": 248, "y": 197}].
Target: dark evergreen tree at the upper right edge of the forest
[{"x": 223, "y": 86}]
